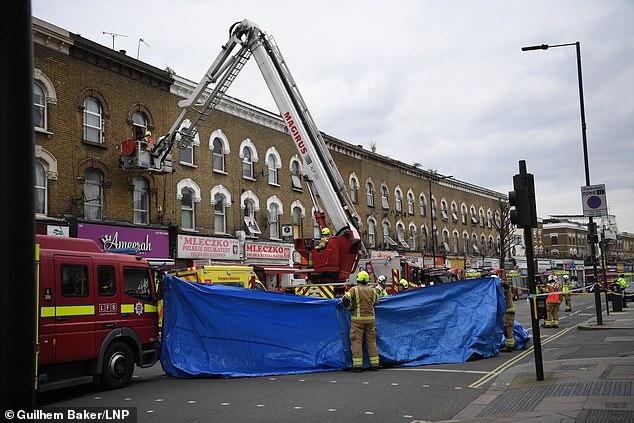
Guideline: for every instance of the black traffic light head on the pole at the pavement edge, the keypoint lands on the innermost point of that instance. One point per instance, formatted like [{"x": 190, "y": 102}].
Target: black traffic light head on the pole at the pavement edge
[{"x": 522, "y": 199}]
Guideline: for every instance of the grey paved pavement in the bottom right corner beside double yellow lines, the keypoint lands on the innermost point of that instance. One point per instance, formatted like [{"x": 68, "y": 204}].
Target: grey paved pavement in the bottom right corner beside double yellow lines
[{"x": 581, "y": 389}]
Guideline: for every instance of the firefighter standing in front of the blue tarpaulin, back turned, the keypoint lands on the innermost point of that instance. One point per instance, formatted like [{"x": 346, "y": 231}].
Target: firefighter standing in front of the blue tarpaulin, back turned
[{"x": 361, "y": 299}]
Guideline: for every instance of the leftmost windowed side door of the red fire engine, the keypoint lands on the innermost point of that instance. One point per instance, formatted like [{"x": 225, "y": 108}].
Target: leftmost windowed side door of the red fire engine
[{"x": 74, "y": 309}]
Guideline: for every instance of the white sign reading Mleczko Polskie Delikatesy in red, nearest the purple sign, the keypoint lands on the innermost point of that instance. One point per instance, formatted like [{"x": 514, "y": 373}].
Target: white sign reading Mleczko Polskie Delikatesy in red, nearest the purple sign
[{"x": 201, "y": 247}]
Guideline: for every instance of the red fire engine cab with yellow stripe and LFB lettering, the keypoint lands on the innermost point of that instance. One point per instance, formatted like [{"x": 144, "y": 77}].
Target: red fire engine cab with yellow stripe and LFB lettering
[{"x": 97, "y": 314}]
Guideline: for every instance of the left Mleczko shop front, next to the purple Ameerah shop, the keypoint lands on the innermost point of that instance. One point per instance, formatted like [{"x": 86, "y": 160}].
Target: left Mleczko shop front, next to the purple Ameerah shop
[{"x": 196, "y": 250}]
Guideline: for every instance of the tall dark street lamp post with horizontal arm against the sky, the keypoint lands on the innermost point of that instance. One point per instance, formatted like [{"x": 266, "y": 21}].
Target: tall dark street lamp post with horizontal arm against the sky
[{"x": 591, "y": 225}]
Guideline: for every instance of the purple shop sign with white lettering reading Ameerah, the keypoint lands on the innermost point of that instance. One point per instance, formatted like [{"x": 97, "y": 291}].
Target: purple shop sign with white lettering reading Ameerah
[{"x": 152, "y": 243}]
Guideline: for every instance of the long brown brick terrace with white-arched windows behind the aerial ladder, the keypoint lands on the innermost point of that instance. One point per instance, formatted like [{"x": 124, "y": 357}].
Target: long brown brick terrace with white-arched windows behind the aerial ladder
[{"x": 237, "y": 194}]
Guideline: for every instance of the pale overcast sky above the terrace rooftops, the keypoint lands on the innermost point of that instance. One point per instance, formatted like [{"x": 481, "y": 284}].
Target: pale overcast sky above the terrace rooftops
[{"x": 443, "y": 83}]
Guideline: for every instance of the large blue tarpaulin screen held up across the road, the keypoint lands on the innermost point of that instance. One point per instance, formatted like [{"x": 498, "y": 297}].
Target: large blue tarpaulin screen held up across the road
[{"x": 221, "y": 331}]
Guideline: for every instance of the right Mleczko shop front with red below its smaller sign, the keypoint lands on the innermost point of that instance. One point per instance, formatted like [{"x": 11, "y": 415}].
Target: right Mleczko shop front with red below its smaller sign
[{"x": 272, "y": 263}]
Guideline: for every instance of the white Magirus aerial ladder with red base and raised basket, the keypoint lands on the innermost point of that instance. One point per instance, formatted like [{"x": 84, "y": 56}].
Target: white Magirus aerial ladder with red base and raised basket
[{"x": 339, "y": 259}]
